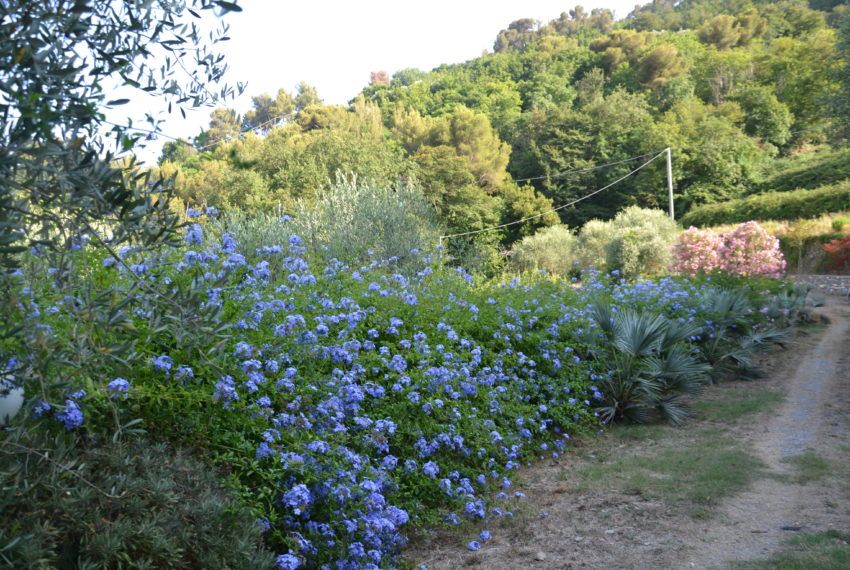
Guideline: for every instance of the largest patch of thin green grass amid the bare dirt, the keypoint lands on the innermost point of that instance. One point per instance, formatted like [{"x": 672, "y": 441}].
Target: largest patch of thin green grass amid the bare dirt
[{"x": 704, "y": 472}]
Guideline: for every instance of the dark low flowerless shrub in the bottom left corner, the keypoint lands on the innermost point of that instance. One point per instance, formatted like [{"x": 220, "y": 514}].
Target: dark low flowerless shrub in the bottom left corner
[{"x": 132, "y": 504}]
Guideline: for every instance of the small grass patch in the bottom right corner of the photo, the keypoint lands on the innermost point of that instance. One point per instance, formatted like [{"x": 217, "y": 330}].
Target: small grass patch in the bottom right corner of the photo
[{"x": 816, "y": 551}]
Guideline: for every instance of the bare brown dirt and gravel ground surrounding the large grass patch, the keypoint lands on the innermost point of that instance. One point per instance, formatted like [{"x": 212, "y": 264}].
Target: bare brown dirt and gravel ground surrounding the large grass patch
[{"x": 562, "y": 526}]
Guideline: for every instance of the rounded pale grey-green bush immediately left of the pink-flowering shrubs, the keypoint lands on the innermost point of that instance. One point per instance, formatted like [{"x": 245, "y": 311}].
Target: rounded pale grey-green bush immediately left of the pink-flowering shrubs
[{"x": 636, "y": 242}]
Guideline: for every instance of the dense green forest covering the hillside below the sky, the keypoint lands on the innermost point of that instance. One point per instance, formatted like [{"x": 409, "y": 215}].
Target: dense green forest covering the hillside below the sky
[{"x": 555, "y": 112}]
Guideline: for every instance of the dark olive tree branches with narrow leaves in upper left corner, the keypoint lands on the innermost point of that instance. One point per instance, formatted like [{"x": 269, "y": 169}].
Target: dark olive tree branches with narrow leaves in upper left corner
[{"x": 59, "y": 177}]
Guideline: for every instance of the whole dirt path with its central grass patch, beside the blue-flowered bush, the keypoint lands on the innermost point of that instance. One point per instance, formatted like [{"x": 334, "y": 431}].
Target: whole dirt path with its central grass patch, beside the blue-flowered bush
[{"x": 789, "y": 430}]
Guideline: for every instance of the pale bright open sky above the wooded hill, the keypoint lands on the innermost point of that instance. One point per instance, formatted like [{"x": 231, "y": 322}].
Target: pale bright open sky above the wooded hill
[{"x": 334, "y": 45}]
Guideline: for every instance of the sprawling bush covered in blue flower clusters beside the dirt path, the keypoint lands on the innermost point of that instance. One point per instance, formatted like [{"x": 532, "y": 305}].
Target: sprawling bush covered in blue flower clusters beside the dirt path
[{"x": 345, "y": 405}]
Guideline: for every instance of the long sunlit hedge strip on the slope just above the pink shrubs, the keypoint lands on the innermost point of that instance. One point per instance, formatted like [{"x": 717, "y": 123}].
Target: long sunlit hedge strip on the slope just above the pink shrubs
[{"x": 773, "y": 206}]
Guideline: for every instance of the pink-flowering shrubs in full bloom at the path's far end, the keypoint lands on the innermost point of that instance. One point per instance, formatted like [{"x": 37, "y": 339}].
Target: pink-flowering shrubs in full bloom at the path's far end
[{"x": 747, "y": 249}]
